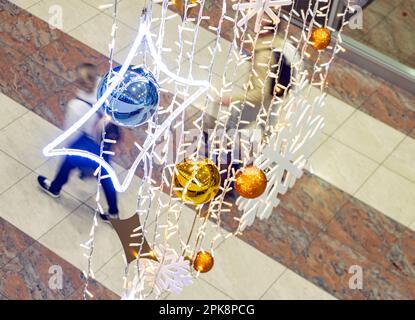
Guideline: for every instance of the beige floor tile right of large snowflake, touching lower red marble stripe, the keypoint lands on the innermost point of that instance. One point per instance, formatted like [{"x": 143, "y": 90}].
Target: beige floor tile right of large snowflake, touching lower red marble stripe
[{"x": 341, "y": 166}]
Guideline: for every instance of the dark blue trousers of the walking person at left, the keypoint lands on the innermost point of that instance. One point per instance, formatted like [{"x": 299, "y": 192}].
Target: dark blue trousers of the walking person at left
[{"x": 75, "y": 162}]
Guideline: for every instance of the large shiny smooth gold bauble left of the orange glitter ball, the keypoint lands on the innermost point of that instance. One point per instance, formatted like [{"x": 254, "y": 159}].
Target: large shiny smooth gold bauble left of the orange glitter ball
[{"x": 197, "y": 181}]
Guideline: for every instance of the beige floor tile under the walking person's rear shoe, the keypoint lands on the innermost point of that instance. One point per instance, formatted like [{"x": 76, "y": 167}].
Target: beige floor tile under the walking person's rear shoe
[{"x": 32, "y": 211}]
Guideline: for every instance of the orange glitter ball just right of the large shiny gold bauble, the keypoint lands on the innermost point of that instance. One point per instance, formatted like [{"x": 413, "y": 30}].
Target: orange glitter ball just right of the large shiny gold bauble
[{"x": 250, "y": 182}]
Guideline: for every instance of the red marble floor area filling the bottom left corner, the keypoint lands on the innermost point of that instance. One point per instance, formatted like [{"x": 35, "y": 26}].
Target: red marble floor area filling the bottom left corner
[{"x": 24, "y": 271}]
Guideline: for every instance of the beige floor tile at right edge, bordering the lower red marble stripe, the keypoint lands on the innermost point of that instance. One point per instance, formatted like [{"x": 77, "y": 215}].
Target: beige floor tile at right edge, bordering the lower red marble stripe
[{"x": 391, "y": 194}]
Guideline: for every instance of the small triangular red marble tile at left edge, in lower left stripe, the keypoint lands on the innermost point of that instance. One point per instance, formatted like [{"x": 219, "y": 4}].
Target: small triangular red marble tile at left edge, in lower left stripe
[{"x": 12, "y": 242}]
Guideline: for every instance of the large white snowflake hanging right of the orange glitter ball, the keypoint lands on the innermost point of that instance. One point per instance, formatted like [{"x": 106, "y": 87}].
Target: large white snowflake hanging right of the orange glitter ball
[{"x": 286, "y": 153}]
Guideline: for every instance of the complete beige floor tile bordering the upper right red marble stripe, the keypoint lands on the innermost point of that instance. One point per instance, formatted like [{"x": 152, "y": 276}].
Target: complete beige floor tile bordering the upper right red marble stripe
[{"x": 369, "y": 136}]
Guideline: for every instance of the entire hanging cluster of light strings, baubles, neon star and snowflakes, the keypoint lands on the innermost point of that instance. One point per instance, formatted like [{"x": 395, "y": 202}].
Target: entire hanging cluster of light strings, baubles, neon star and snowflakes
[{"x": 289, "y": 123}]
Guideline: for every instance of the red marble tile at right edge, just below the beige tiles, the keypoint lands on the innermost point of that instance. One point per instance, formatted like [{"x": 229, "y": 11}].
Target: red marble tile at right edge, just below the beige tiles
[{"x": 376, "y": 236}]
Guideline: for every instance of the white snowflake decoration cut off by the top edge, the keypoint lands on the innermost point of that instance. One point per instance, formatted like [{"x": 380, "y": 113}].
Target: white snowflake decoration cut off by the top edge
[{"x": 259, "y": 8}]
